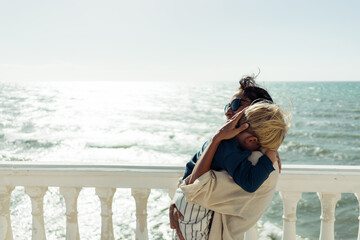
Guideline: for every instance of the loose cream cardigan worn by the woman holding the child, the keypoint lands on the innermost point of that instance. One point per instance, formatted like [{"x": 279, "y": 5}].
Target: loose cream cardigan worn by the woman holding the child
[{"x": 236, "y": 210}]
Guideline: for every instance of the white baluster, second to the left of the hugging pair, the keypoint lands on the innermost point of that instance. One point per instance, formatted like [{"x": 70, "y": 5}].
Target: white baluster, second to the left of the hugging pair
[{"x": 106, "y": 196}]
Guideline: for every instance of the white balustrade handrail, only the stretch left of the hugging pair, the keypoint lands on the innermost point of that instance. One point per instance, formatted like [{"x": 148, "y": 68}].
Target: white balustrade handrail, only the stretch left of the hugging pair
[{"x": 89, "y": 175}]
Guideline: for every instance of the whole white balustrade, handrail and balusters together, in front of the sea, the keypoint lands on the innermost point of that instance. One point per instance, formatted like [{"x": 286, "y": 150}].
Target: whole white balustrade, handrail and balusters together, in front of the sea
[{"x": 328, "y": 181}]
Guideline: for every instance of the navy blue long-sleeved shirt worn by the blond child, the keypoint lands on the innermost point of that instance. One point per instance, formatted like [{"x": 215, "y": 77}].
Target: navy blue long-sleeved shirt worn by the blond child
[{"x": 230, "y": 157}]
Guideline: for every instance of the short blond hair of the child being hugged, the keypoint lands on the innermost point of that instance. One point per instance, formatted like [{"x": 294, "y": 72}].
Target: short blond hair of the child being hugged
[{"x": 268, "y": 122}]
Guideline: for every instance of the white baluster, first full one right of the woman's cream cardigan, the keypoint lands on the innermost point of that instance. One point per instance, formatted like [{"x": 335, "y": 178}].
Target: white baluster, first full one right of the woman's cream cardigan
[{"x": 290, "y": 200}]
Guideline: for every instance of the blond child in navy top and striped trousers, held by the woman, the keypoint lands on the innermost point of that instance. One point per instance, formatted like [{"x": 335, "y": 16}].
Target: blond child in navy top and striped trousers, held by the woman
[{"x": 267, "y": 129}]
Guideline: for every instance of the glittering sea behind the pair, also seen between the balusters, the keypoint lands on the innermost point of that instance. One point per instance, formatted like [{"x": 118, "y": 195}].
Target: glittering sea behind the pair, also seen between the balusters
[{"x": 165, "y": 123}]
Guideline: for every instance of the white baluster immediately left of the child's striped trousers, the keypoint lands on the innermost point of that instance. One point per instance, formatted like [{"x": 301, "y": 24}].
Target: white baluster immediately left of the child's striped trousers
[{"x": 141, "y": 195}]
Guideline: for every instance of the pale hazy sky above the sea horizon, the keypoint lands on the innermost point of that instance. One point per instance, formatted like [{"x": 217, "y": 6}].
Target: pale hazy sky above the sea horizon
[{"x": 179, "y": 40}]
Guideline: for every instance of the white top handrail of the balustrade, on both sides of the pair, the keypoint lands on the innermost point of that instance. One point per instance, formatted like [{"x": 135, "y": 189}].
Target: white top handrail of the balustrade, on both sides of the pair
[{"x": 304, "y": 178}]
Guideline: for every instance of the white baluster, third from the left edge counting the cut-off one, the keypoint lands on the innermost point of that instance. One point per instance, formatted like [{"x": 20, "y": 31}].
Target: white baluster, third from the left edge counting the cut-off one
[{"x": 72, "y": 228}]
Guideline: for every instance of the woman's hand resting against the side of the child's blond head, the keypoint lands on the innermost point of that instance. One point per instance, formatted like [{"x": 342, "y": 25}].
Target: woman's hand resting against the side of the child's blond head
[{"x": 230, "y": 129}]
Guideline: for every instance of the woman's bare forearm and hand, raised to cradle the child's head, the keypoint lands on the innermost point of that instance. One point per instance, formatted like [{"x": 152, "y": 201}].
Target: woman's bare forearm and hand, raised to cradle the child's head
[{"x": 227, "y": 131}]
